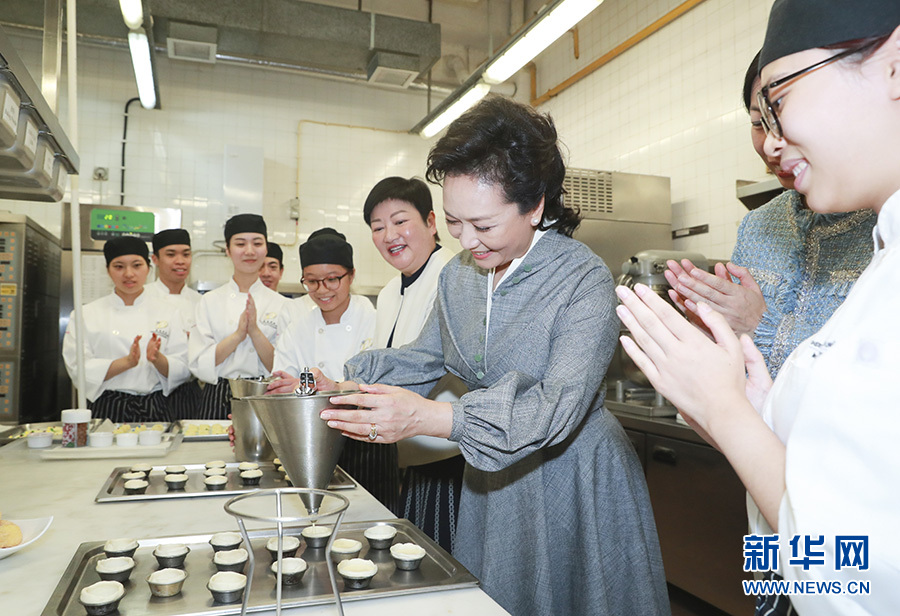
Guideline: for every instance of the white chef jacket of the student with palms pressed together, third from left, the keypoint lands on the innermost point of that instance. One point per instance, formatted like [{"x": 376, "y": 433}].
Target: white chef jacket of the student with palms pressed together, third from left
[{"x": 217, "y": 316}]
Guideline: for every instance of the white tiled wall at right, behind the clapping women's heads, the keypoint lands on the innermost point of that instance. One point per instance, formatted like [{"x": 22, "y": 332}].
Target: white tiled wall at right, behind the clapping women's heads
[{"x": 669, "y": 106}]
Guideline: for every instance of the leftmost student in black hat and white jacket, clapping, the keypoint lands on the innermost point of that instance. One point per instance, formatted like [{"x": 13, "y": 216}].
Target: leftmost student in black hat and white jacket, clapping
[{"x": 135, "y": 345}]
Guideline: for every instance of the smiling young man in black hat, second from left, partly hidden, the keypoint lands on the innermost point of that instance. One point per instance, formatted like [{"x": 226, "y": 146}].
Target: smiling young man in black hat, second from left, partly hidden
[{"x": 172, "y": 257}]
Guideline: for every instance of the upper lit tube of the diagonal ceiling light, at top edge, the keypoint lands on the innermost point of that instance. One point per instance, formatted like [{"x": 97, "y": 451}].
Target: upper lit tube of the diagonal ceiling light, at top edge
[{"x": 557, "y": 21}]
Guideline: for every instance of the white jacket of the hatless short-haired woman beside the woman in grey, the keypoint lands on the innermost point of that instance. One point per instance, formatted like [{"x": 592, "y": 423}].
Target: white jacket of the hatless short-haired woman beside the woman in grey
[{"x": 410, "y": 311}]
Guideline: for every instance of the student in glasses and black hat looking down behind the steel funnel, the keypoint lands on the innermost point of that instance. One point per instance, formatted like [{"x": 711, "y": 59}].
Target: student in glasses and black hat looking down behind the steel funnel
[{"x": 326, "y": 332}]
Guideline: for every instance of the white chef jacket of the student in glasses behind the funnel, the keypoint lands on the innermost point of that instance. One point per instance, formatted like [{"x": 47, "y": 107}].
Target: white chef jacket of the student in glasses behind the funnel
[{"x": 308, "y": 341}]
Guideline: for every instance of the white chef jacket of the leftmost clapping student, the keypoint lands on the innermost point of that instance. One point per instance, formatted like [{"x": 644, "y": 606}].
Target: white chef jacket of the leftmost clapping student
[{"x": 110, "y": 328}]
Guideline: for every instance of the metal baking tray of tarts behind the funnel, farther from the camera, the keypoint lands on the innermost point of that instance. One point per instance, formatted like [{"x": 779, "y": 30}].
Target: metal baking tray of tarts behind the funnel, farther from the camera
[{"x": 113, "y": 489}]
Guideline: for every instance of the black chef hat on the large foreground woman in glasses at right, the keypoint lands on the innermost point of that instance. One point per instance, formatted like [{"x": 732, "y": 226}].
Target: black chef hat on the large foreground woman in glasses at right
[{"x": 798, "y": 25}]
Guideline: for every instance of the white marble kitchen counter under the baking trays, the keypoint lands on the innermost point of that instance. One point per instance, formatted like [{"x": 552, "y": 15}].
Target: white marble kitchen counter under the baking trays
[{"x": 35, "y": 488}]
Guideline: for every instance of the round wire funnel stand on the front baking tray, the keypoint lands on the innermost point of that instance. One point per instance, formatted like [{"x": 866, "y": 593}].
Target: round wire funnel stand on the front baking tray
[{"x": 280, "y": 520}]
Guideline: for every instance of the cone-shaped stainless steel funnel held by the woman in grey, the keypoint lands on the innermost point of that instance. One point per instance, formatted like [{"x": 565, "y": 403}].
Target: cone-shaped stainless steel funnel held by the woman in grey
[{"x": 308, "y": 448}]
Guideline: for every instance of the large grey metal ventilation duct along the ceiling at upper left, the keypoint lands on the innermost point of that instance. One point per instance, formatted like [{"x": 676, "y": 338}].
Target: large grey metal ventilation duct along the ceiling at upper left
[{"x": 280, "y": 33}]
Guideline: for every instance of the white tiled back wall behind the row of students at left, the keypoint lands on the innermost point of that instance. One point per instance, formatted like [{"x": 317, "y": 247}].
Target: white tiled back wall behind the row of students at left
[{"x": 175, "y": 156}]
